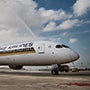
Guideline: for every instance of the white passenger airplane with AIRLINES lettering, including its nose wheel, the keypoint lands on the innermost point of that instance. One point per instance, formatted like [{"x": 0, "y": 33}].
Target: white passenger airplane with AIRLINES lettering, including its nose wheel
[{"x": 37, "y": 53}]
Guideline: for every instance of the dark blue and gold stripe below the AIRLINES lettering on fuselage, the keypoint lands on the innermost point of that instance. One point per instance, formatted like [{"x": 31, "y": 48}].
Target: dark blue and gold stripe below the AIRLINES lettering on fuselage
[{"x": 18, "y": 51}]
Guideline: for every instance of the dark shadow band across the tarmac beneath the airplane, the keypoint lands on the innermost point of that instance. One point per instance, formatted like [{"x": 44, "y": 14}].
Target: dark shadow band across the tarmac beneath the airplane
[{"x": 43, "y": 73}]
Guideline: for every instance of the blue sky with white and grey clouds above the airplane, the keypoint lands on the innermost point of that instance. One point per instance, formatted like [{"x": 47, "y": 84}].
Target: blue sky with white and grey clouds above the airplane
[{"x": 64, "y": 21}]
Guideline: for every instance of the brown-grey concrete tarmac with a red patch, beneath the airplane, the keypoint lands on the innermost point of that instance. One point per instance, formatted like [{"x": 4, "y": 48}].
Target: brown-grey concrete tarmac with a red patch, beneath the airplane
[{"x": 43, "y": 80}]
